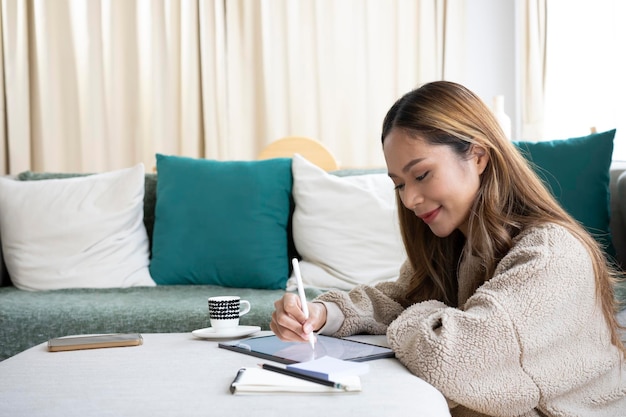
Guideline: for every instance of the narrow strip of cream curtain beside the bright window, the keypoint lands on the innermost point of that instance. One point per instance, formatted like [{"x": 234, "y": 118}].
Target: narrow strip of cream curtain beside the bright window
[{"x": 534, "y": 38}]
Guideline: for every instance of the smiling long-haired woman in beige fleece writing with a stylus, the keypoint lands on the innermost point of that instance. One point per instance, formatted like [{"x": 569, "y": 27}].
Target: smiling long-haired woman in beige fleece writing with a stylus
[{"x": 505, "y": 303}]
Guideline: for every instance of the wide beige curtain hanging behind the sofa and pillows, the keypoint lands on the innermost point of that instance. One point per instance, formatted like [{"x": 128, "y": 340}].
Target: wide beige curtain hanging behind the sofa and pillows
[{"x": 97, "y": 85}]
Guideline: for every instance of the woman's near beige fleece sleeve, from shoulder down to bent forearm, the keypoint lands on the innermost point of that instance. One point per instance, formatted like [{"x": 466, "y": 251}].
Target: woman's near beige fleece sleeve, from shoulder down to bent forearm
[{"x": 503, "y": 353}]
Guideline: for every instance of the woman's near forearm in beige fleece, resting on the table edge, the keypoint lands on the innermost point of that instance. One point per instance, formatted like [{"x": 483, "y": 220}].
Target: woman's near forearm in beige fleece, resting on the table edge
[{"x": 471, "y": 356}]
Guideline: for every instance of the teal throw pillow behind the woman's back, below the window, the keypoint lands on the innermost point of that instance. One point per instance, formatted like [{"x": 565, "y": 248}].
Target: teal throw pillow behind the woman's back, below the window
[{"x": 576, "y": 170}]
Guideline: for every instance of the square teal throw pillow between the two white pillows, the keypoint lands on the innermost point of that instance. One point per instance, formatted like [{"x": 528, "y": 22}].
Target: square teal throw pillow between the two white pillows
[{"x": 221, "y": 222}]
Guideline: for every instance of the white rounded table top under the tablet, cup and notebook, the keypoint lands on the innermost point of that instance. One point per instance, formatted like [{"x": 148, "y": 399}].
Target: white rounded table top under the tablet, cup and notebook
[{"x": 178, "y": 374}]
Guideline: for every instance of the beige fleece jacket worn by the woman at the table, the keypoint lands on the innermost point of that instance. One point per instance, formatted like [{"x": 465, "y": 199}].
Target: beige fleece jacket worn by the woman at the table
[{"x": 532, "y": 341}]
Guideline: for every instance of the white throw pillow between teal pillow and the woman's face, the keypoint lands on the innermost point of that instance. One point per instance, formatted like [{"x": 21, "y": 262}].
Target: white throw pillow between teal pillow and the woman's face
[{"x": 345, "y": 228}]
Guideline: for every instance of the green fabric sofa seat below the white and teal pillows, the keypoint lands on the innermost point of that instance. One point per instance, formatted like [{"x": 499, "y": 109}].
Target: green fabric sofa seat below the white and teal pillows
[{"x": 28, "y": 318}]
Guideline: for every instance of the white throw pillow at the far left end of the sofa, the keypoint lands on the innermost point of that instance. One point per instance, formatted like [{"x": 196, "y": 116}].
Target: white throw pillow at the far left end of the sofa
[{"x": 82, "y": 232}]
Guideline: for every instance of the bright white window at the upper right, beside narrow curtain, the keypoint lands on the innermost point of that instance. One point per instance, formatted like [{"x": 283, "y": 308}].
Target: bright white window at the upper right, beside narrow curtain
[{"x": 586, "y": 70}]
